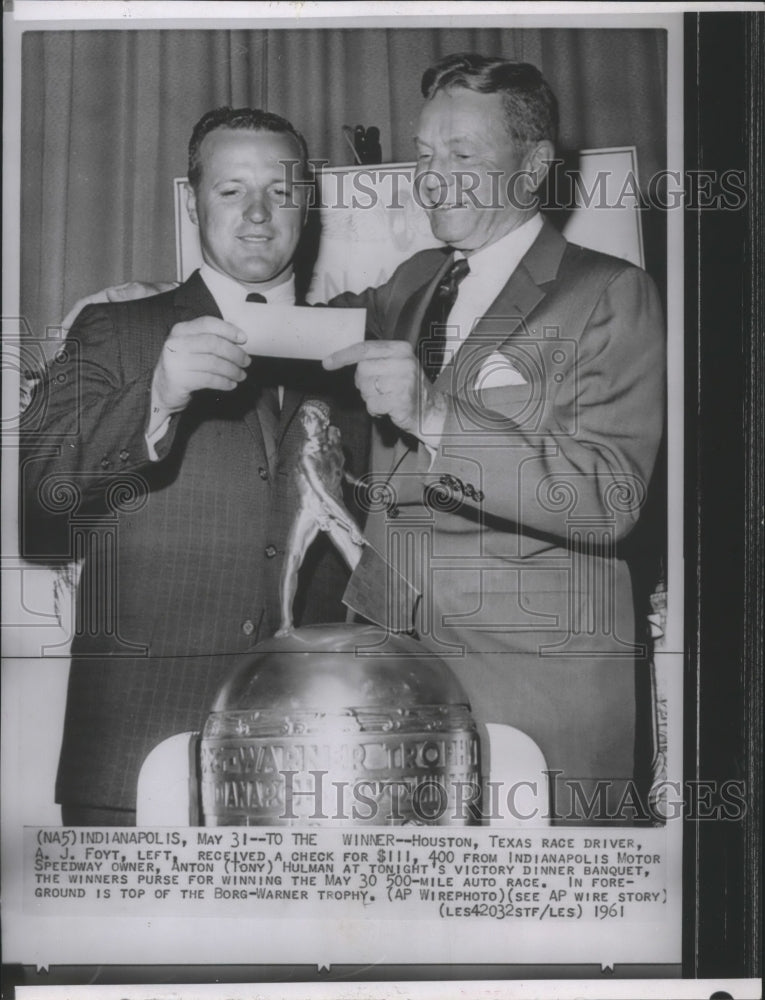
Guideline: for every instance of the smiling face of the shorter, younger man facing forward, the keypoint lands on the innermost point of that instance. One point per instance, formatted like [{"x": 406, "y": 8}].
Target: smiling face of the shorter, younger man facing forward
[{"x": 248, "y": 206}]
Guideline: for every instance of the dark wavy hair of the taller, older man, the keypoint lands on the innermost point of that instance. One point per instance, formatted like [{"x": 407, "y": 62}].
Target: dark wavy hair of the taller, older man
[{"x": 531, "y": 108}]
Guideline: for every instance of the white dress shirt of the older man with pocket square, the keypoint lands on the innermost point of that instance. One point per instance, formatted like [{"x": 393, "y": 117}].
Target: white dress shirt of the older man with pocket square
[{"x": 490, "y": 270}]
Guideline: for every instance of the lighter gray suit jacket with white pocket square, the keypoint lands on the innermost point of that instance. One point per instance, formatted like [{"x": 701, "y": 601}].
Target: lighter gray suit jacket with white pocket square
[{"x": 510, "y": 530}]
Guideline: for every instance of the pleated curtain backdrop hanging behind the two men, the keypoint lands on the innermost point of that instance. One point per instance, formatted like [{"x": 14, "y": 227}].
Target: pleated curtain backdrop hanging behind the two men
[{"x": 106, "y": 117}]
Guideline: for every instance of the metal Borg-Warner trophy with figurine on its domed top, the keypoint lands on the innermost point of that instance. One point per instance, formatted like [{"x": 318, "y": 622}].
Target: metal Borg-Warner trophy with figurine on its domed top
[{"x": 337, "y": 724}]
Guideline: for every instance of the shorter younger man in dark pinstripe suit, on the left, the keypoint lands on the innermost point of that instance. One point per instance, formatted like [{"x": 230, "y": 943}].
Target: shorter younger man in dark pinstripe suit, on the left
[{"x": 175, "y": 449}]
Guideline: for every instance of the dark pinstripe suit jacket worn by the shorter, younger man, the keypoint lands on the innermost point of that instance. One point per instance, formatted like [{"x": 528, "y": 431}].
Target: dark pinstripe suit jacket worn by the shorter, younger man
[{"x": 181, "y": 557}]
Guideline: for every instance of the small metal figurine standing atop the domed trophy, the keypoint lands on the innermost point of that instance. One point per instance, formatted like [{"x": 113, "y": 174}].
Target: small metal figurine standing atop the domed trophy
[{"x": 318, "y": 477}]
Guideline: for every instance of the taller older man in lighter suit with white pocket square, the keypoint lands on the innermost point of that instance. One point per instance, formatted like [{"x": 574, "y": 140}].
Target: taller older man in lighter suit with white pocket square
[{"x": 517, "y": 383}]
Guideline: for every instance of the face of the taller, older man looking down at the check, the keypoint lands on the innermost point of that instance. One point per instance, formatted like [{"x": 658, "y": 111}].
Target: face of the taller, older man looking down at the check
[{"x": 473, "y": 184}]
